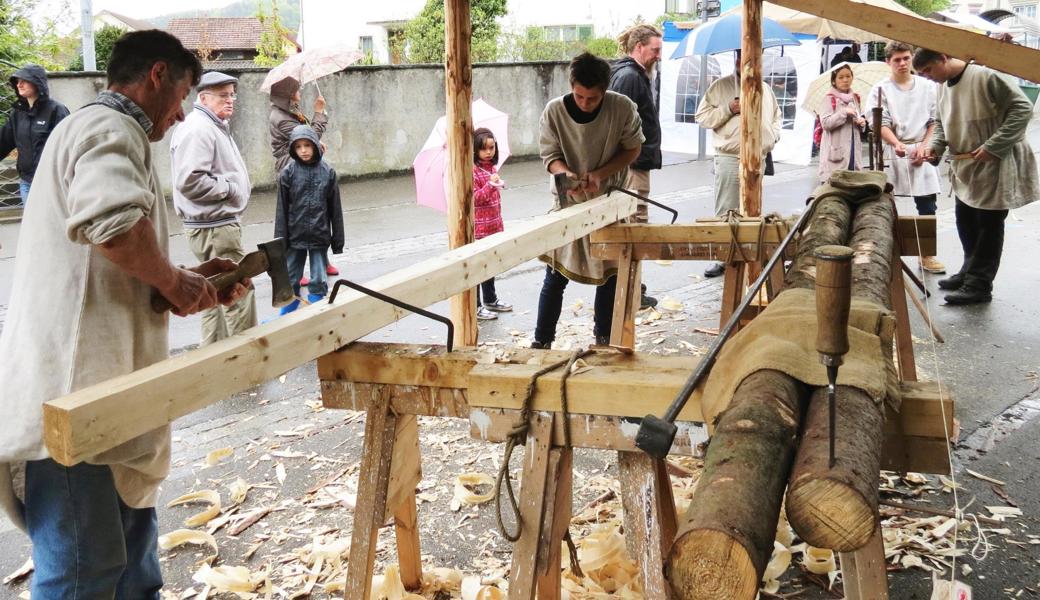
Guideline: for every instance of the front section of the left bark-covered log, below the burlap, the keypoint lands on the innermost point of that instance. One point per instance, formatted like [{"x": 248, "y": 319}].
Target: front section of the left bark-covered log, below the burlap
[{"x": 725, "y": 544}]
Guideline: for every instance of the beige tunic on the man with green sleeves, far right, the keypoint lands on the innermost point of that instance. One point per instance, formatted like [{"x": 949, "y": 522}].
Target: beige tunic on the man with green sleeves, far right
[{"x": 986, "y": 109}]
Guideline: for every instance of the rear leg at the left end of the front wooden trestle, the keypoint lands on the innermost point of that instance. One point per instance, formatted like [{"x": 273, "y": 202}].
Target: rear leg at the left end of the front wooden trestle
[{"x": 406, "y": 473}]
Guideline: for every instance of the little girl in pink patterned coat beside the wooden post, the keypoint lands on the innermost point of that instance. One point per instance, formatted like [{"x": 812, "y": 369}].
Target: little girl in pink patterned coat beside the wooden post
[{"x": 487, "y": 214}]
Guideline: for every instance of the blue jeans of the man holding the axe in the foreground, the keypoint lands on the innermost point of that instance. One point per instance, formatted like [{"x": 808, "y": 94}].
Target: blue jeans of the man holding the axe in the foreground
[{"x": 87, "y": 543}]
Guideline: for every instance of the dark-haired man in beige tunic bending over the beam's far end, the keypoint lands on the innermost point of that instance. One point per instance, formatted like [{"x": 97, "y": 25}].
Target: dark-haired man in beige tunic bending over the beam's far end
[{"x": 592, "y": 136}]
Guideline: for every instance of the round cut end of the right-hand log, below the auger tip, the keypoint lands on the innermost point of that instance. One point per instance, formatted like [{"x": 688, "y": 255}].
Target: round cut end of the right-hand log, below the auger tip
[{"x": 830, "y": 514}]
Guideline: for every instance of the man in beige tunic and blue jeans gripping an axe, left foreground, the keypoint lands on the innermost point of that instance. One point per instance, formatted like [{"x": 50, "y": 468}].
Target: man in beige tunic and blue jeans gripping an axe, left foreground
[{"x": 93, "y": 250}]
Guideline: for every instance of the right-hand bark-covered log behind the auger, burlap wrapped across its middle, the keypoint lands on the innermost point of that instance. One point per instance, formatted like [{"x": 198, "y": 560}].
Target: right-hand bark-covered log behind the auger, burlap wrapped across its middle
[{"x": 838, "y": 508}]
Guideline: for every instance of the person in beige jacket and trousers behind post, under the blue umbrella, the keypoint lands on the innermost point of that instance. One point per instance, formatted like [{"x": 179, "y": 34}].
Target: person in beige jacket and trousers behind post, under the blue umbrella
[{"x": 720, "y": 112}]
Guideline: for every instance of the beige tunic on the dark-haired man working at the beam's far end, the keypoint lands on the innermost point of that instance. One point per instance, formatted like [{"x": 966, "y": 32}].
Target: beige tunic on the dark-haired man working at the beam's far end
[{"x": 586, "y": 148}]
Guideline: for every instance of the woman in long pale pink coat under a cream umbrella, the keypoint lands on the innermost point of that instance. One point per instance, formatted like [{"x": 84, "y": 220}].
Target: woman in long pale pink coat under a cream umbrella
[{"x": 841, "y": 117}]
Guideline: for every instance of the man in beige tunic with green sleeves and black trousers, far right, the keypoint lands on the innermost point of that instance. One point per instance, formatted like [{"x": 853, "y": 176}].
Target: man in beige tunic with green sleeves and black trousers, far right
[{"x": 981, "y": 119}]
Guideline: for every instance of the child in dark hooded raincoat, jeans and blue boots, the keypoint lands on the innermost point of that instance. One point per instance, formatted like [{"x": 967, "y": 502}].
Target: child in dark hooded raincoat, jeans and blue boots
[{"x": 309, "y": 215}]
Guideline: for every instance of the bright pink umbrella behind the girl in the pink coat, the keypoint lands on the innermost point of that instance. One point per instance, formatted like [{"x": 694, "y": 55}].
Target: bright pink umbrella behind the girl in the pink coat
[{"x": 431, "y": 164}]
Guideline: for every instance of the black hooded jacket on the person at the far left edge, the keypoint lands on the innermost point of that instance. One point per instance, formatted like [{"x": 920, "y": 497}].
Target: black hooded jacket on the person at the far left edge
[{"x": 28, "y": 129}]
